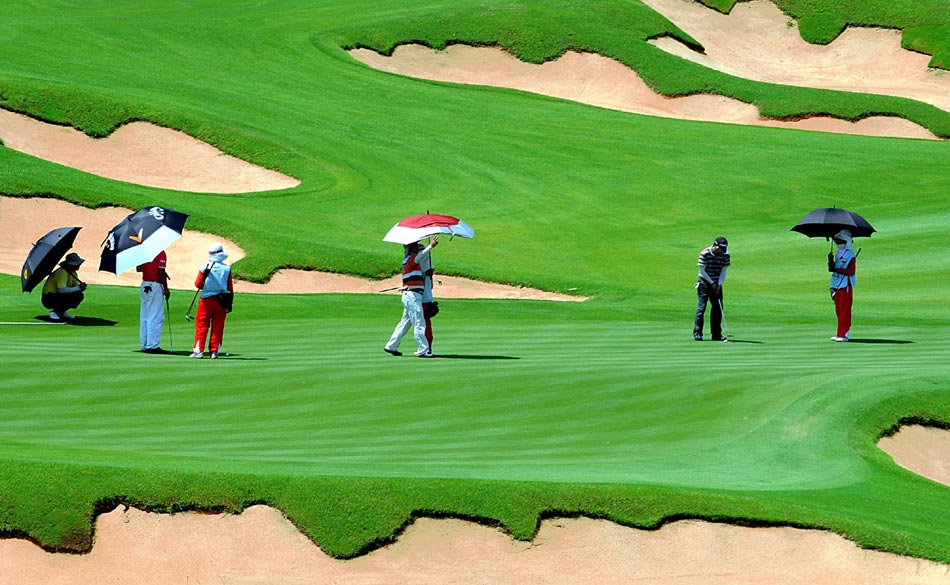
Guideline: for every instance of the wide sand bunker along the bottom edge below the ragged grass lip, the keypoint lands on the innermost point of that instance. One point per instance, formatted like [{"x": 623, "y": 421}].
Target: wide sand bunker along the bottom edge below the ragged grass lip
[{"x": 261, "y": 546}]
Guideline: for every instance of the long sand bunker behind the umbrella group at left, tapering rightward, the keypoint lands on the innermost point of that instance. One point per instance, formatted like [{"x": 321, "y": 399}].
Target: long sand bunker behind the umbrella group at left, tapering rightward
[{"x": 23, "y": 221}]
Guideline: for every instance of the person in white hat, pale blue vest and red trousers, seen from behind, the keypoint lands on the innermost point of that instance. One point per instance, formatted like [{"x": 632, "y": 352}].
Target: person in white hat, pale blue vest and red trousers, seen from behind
[{"x": 217, "y": 295}]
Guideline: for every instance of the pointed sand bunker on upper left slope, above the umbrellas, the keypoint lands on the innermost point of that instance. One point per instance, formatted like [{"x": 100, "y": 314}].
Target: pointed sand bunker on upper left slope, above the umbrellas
[{"x": 141, "y": 153}]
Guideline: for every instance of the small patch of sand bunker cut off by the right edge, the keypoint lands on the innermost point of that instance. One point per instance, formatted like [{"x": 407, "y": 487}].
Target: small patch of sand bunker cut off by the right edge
[{"x": 923, "y": 450}]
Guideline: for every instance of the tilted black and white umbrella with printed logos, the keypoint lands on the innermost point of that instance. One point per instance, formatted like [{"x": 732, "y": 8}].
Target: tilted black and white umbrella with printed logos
[{"x": 140, "y": 237}]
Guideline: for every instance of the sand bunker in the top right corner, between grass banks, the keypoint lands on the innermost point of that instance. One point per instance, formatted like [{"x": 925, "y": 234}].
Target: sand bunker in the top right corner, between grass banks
[{"x": 758, "y": 41}]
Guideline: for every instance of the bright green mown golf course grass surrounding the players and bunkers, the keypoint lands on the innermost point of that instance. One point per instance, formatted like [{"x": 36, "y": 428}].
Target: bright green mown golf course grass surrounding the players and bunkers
[{"x": 605, "y": 408}]
